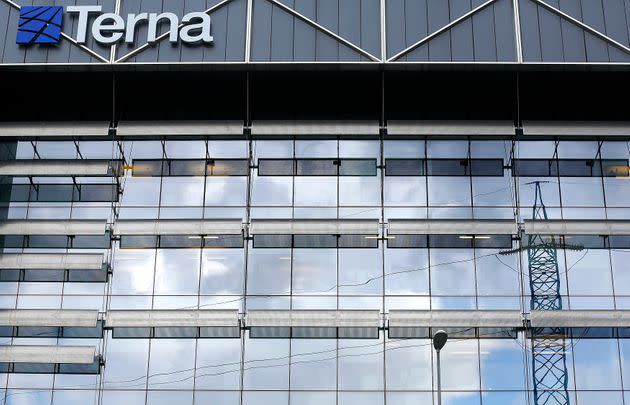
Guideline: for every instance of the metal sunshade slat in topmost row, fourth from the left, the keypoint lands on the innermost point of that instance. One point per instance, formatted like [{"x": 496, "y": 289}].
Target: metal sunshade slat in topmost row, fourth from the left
[{"x": 453, "y": 128}]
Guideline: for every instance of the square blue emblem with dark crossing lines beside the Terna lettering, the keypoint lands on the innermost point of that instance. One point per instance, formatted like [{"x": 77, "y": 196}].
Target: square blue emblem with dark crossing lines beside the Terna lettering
[{"x": 39, "y": 25}]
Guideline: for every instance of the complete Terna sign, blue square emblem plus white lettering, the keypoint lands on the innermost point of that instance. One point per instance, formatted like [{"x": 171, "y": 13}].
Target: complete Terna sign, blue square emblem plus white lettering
[{"x": 42, "y": 25}]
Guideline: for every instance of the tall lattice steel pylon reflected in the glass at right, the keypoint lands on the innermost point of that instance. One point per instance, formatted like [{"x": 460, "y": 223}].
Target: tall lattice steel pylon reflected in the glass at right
[{"x": 548, "y": 344}]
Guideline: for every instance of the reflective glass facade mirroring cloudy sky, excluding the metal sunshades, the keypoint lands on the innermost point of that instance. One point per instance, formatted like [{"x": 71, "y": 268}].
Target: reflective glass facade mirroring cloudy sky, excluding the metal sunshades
[{"x": 330, "y": 180}]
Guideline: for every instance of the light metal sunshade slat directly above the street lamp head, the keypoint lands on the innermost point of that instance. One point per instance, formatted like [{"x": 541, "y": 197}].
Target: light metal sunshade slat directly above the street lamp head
[{"x": 455, "y": 318}]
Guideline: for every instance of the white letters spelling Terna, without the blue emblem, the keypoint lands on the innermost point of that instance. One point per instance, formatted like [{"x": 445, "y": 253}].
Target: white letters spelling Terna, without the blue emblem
[{"x": 108, "y": 28}]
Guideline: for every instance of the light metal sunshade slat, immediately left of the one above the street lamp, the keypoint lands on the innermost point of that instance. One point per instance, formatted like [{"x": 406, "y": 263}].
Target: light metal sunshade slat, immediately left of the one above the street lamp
[{"x": 313, "y": 318}]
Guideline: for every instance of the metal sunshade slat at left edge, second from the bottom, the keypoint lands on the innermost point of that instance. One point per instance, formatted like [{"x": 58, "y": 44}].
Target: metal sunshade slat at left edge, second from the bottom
[{"x": 45, "y": 317}]
